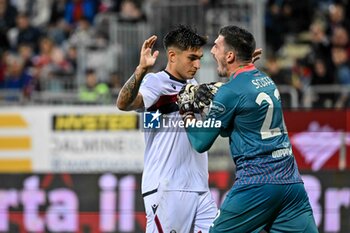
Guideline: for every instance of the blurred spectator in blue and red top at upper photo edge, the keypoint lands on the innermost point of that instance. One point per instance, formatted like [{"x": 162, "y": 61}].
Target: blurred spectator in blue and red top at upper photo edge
[{"x": 78, "y": 9}]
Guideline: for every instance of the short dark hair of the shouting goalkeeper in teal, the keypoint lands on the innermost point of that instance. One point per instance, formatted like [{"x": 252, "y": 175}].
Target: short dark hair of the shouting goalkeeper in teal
[{"x": 240, "y": 40}]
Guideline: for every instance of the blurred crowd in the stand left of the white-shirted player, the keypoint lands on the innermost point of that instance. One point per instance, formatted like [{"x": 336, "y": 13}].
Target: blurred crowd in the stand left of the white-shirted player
[{"x": 39, "y": 42}]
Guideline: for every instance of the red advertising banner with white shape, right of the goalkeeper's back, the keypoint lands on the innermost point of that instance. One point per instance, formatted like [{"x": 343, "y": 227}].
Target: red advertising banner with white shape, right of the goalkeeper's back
[{"x": 320, "y": 138}]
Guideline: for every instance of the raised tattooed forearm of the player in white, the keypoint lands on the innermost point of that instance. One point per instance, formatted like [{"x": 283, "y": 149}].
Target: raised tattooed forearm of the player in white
[{"x": 130, "y": 90}]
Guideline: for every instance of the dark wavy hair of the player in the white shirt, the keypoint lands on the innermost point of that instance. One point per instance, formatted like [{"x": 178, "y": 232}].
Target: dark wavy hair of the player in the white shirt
[{"x": 184, "y": 38}]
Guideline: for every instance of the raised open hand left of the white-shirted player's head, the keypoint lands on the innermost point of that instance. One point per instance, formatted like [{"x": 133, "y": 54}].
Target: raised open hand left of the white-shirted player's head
[{"x": 147, "y": 57}]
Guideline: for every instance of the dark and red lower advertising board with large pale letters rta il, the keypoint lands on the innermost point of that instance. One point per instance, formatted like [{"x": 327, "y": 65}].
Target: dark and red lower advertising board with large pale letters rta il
[{"x": 93, "y": 203}]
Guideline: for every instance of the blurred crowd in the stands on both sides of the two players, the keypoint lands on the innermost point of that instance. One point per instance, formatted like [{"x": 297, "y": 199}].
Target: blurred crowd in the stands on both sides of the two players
[{"x": 307, "y": 45}]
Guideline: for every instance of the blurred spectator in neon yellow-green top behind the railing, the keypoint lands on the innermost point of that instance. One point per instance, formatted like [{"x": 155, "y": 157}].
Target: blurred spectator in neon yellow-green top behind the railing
[{"x": 93, "y": 92}]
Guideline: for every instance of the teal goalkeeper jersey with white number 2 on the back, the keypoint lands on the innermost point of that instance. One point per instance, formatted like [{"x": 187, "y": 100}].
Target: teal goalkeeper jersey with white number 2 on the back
[{"x": 249, "y": 108}]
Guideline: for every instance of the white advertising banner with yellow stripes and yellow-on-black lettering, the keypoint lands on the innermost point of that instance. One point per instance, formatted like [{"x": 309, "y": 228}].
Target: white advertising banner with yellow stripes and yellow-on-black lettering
[{"x": 70, "y": 139}]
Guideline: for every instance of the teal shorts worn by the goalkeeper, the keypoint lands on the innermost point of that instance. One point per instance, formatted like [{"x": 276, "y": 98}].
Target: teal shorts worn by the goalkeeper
[{"x": 269, "y": 207}]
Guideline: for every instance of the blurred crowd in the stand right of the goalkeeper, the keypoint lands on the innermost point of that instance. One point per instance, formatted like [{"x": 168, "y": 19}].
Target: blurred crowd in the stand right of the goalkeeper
[{"x": 319, "y": 31}]
